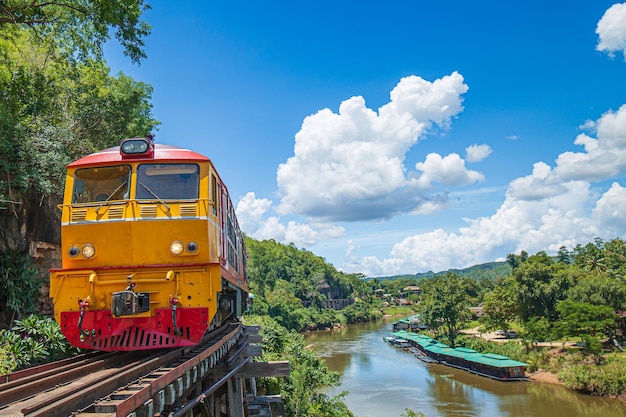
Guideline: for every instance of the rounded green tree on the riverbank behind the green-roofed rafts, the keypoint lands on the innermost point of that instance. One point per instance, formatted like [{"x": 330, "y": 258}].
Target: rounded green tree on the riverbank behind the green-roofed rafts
[{"x": 445, "y": 303}]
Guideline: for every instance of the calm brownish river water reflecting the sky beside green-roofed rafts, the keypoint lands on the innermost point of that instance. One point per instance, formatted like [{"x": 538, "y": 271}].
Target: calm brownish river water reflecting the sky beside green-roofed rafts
[{"x": 384, "y": 381}]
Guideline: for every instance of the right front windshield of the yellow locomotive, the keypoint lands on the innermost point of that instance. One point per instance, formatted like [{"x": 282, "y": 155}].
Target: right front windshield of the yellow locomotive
[{"x": 167, "y": 182}]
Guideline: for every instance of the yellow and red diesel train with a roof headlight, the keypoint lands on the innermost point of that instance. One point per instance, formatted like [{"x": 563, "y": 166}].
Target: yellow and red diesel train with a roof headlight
[{"x": 152, "y": 255}]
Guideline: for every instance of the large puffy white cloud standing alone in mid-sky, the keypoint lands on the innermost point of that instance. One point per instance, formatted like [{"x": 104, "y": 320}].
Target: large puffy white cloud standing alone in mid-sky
[{"x": 349, "y": 166}]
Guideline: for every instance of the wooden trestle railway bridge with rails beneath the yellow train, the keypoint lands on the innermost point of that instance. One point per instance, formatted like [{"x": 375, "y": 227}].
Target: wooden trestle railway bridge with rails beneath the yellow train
[{"x": 216, "y": 378}]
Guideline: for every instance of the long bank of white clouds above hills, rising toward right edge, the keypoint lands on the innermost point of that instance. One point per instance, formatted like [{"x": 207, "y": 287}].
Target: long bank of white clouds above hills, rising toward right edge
[{"x": 552, "y": 207}]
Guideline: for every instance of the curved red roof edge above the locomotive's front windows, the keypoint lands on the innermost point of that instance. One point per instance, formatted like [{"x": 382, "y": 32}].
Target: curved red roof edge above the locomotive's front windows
[{"x": 163, "y": 153}]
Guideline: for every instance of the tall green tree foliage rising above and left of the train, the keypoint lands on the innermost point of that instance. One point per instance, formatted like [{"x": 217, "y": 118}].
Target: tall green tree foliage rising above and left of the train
[{"x": 58, "y": 101}]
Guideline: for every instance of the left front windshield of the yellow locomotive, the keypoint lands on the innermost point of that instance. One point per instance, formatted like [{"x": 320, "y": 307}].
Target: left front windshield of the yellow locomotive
[{"x": 101, "y": 184}]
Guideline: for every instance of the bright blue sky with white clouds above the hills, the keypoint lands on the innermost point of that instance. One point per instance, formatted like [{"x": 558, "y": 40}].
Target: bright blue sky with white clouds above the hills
[{"x": 403, "y": 136}]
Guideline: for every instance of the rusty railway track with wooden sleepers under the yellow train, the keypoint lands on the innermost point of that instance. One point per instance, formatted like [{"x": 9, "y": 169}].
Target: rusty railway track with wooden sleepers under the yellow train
[{"x": 141, "y": 383}]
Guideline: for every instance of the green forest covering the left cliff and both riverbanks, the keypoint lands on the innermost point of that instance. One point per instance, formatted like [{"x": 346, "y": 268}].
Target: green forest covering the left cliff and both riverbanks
[{"x": 59, "y": 101}]
